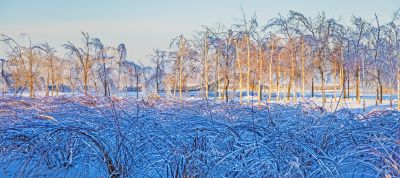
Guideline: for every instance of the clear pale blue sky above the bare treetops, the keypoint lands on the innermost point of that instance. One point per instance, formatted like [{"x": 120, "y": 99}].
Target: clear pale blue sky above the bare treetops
[{"x": 149, "y": 24}]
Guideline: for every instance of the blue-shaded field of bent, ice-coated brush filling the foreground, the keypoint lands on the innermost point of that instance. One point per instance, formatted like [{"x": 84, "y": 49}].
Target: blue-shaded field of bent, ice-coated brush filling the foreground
[{"x": 125, "y": 137}]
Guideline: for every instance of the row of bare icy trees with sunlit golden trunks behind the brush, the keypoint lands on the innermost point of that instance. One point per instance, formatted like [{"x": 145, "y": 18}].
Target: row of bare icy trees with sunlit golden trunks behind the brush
[{"x": 288, "y": 55}]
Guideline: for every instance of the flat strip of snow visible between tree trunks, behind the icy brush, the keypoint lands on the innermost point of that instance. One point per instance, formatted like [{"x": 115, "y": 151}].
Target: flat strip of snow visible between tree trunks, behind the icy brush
[{"x": 332, "y": 99}]
